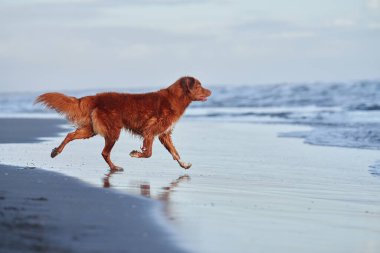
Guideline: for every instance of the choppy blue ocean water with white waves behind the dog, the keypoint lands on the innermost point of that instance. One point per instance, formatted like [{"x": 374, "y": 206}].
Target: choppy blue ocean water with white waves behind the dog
[{"x": 340, "y": 114}]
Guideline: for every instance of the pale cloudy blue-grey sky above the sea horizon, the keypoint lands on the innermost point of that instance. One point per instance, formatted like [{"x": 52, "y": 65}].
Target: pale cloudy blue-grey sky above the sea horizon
[{"x": 85, "y": 44}]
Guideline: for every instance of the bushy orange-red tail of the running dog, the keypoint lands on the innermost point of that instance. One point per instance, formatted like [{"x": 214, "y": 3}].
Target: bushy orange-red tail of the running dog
[{"x": 68, "y": 106}]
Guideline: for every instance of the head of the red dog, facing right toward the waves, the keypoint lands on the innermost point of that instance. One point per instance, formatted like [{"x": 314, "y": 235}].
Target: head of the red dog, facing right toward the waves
[{"x": 193, "y": 89}]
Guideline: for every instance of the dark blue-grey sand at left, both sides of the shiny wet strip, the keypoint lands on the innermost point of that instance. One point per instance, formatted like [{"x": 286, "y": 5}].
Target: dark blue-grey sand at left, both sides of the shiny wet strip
[{"x": 43, "y": 211}]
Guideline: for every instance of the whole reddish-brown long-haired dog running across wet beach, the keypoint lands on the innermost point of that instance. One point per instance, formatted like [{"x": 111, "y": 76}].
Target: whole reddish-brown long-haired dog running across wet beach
[{"x": 147, "y": 115}]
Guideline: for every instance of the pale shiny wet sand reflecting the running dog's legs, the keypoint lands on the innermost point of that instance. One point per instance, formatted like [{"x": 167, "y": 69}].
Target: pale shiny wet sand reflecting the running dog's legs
[{"x": 248, "y": 189}]
